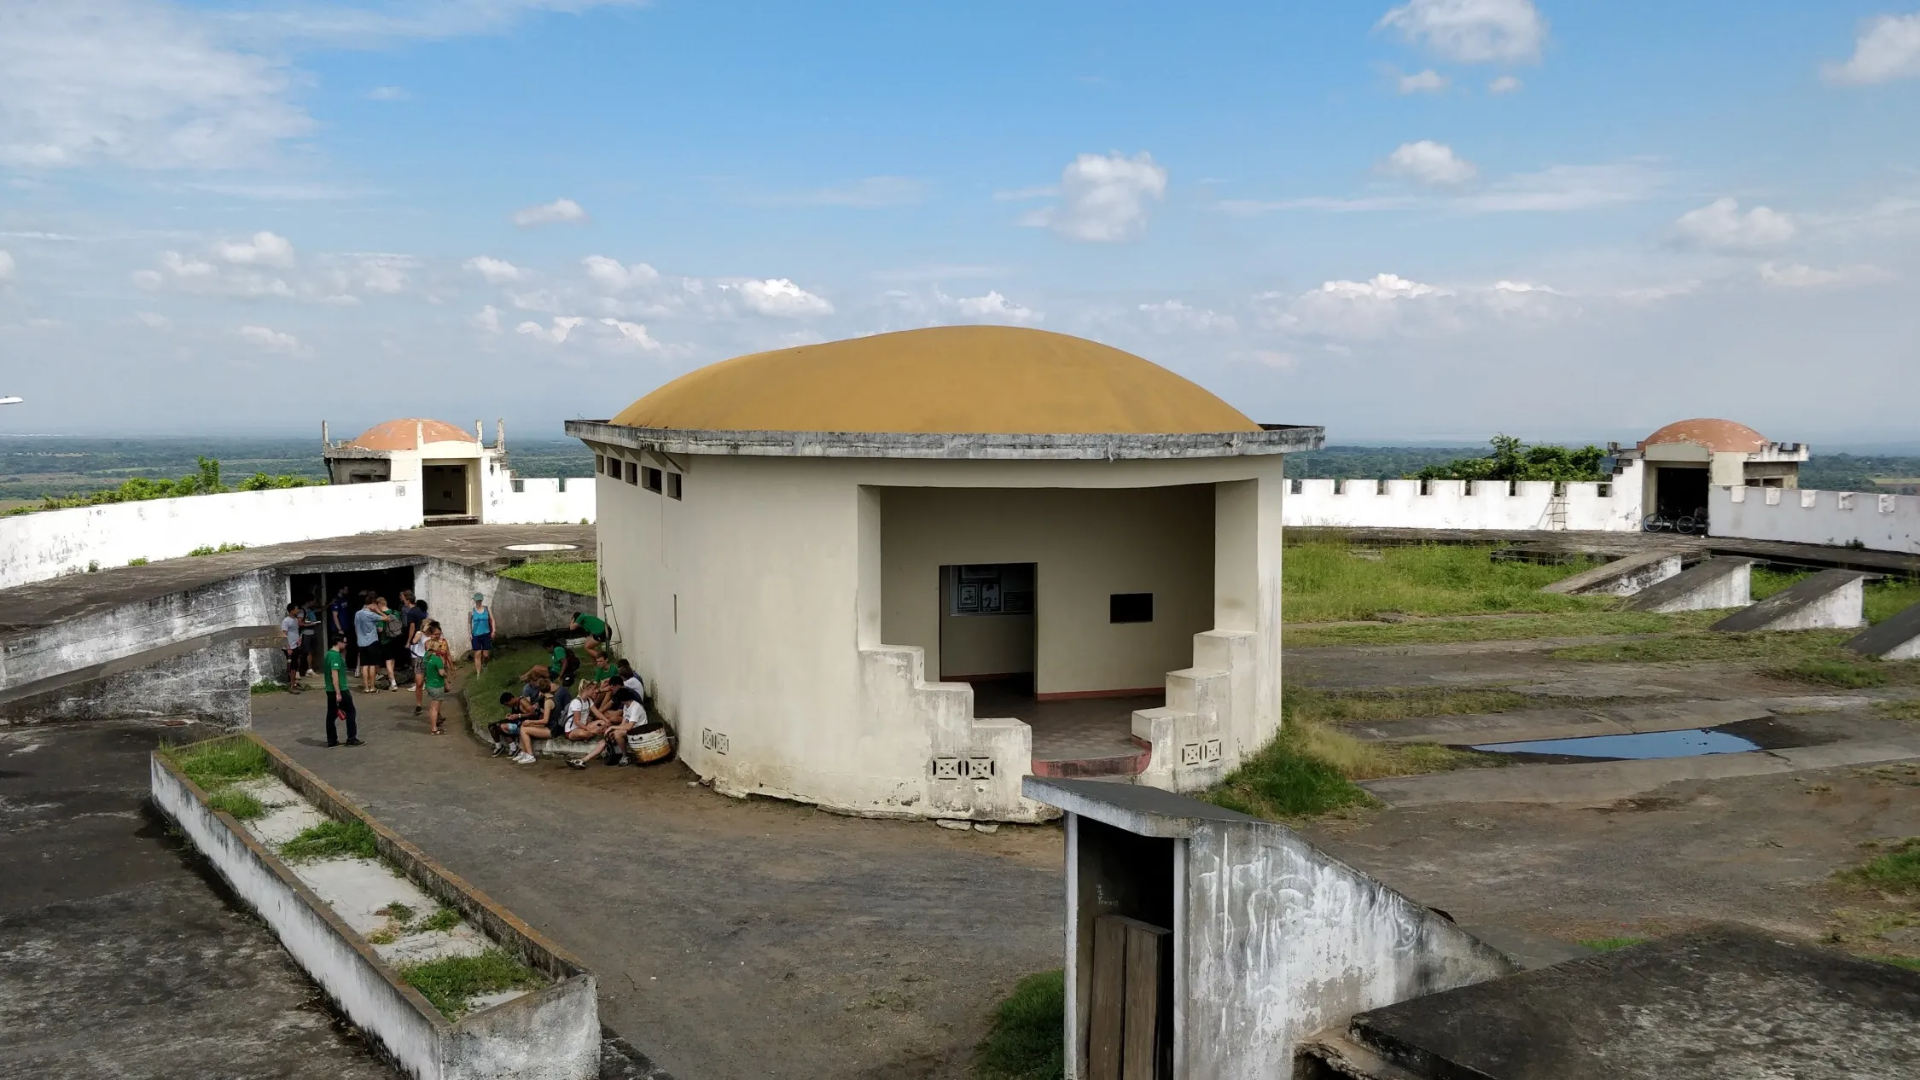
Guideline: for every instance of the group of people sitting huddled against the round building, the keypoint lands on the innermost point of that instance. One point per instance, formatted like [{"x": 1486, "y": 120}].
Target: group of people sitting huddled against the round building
[{"x": 596, "y": 710}]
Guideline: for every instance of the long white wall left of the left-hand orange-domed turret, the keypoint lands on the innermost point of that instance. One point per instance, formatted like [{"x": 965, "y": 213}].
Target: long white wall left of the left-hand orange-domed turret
[{"x": 36, "y": 547}]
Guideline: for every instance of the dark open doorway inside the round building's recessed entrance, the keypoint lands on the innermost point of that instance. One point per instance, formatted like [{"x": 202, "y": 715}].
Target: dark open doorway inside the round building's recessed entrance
[{"x": 988, "y": 626}]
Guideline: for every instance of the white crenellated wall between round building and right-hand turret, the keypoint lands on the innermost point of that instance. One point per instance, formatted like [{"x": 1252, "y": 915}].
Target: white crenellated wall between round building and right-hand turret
[{"x": 1466, "y": 504}]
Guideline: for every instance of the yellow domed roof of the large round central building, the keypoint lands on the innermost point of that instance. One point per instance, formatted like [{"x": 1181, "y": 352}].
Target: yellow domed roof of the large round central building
[{"x": 940, "y": 381}]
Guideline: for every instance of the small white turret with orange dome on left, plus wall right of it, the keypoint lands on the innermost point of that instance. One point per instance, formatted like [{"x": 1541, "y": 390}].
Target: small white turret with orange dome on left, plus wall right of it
[{"x": 458, "y": 476}]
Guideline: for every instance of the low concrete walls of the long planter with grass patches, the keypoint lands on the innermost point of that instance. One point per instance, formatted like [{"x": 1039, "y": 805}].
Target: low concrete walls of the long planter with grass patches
[{"x": 550, "y": 1035}]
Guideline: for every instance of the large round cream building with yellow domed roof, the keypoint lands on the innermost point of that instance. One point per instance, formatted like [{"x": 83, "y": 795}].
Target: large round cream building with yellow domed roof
[{"x": 819, "y": 556}]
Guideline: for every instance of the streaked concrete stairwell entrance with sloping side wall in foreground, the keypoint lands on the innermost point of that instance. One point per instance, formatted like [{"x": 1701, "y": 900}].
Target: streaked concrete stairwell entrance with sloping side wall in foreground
[{"x": 1276, "y": 937}]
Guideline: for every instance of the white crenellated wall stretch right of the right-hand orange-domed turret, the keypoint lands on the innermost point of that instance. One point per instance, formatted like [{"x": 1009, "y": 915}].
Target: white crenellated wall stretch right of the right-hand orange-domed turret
[{"x": 1806, "y": 516}]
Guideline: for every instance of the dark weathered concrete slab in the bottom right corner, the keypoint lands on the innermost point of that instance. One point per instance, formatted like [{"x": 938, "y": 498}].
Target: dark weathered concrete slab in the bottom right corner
[{"x": 1717, "y": 1004}]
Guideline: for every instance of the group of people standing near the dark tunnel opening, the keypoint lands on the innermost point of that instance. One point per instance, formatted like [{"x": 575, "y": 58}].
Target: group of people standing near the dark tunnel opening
[{"x": 377, "y": 637}]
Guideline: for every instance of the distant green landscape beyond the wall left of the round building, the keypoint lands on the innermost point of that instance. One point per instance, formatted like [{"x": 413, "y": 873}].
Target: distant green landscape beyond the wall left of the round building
[{"x": 36, "y": 468}]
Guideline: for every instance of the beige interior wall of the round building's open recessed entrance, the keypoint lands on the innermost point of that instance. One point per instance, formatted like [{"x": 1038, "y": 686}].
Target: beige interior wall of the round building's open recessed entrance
[{"x": 1086, "y": 545}]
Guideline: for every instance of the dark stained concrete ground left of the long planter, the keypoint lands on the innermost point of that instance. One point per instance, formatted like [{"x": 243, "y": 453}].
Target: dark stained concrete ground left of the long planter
[{"x": 116, "y": 956}]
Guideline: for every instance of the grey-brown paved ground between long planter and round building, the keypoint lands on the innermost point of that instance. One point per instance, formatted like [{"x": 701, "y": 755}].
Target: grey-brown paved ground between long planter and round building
[{"x": 732, "y": 939}]
